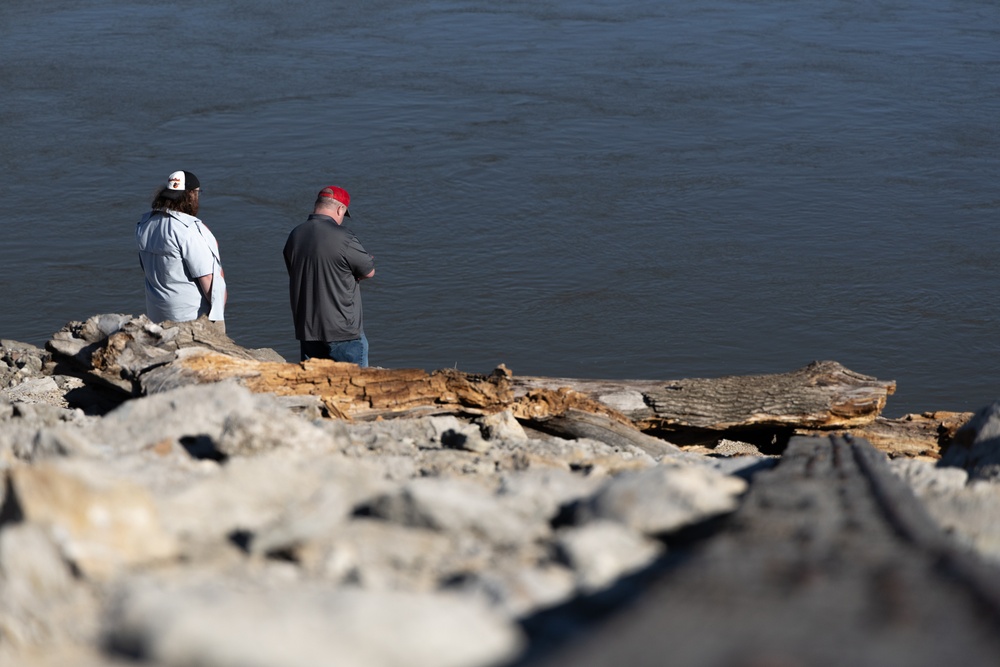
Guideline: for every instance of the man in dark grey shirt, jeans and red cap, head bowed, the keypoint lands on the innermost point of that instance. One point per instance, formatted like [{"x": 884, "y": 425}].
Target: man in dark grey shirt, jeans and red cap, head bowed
[{"x": 326, "y": 264}]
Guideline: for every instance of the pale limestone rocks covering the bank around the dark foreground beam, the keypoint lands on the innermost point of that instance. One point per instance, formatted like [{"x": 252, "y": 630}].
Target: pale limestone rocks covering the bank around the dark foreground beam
[{"x": 210, "y": 525}]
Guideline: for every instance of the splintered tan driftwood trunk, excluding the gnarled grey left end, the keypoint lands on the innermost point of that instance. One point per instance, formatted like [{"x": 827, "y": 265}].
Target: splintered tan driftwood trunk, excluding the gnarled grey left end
[{"x": 821, "y": 395}]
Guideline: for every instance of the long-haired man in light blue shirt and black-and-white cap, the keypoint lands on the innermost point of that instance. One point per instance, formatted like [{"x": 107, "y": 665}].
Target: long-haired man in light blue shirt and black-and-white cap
[{"x": 180, "y": 256}]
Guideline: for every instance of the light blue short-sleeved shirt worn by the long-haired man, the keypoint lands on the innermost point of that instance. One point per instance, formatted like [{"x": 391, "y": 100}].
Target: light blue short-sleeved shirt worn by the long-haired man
[{"x": 174, "y": 250}]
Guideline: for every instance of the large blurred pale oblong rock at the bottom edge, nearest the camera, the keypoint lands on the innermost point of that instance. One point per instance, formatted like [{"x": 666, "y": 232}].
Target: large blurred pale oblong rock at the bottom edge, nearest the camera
[{"x": 214, "y": 625}]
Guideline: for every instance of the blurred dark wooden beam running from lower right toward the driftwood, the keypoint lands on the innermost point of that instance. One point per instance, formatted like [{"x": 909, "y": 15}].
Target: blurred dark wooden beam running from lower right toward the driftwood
[{"x": 829, "y": 561}]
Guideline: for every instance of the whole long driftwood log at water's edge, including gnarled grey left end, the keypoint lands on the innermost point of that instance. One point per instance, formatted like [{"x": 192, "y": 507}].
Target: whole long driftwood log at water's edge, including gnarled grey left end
[{"x": 141, "y": 357}]
